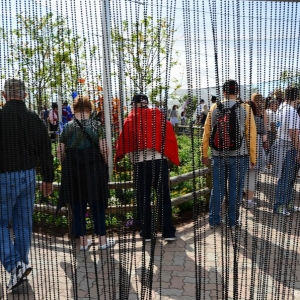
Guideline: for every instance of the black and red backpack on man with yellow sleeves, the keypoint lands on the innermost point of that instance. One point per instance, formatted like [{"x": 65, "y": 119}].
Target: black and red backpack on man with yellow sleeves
[{"x": 226, "y": 133}]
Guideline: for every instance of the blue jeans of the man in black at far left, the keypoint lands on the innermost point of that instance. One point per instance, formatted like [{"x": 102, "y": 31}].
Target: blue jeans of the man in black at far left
[{"x": 17, "y": 191}]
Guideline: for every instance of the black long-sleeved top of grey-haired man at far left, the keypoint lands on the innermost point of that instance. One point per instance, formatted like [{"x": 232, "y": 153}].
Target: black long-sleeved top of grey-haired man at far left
[{"x": 24, "y": 141}]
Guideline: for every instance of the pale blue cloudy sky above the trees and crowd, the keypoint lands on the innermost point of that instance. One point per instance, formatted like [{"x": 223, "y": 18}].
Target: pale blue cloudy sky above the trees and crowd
[{"x": 252, "y": 41}]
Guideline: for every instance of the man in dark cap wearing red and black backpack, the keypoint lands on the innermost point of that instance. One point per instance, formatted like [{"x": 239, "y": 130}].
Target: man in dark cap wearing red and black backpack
[{"x": 230, "y": 131}]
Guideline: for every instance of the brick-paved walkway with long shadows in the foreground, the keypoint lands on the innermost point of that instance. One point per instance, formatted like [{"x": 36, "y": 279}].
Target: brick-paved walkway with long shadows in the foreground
[{"x": 258, "y": 261}]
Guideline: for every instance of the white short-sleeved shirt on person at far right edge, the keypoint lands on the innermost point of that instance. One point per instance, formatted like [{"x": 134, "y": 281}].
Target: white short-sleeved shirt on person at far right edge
[{"x": 287, "y": 118}]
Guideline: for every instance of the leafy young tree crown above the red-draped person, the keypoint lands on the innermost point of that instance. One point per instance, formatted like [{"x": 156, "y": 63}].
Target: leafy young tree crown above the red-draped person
[{"x": 144, "y": 51}]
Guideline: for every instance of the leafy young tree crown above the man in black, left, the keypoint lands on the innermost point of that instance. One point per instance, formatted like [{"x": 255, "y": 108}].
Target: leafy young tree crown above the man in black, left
[{"x": 46, "y": 55}]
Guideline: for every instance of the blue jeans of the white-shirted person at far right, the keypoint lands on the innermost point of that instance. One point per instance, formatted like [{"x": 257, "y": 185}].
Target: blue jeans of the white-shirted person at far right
[{"x": 285, "y": 184}]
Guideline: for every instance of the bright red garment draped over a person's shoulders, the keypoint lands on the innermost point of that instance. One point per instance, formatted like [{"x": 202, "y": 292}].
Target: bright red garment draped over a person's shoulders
[{"x": 147, "y": 128}]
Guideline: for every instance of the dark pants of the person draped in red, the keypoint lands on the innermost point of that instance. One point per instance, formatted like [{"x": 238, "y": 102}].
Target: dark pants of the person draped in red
[{"x": 153, "y": 176}]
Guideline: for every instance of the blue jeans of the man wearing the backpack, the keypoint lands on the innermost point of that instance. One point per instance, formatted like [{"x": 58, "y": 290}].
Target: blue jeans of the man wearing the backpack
[{"x": 233, "y": 170}]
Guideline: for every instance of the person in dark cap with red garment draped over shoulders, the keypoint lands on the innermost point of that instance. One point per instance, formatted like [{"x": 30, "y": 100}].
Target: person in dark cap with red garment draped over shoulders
[{"x": 149, "y": 140}]
